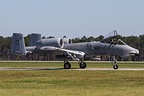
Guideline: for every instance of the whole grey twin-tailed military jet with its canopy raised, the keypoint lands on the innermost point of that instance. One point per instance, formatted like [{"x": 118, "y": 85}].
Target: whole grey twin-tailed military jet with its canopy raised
[{"x": 64, "y": 48}]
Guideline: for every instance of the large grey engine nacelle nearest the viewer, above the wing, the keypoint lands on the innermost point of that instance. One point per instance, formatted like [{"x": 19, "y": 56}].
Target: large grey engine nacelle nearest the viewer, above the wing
[{"x": 55, "y": 42}]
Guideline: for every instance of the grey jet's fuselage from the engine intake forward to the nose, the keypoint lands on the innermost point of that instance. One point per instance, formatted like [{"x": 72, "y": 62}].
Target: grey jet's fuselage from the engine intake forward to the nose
[{"x": 98, "y": 48}]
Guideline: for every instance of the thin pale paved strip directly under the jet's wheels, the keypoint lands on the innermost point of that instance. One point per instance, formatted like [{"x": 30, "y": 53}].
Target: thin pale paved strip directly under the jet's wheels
[{"x": 128, "y": 69}]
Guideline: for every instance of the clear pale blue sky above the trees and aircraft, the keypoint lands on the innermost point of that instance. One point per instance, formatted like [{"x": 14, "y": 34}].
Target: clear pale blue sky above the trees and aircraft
[{"x": 72, "y": 18}]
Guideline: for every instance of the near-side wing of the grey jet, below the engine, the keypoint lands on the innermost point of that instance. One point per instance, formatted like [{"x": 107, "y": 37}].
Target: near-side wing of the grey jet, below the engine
[{"x": 56, "y": 49}]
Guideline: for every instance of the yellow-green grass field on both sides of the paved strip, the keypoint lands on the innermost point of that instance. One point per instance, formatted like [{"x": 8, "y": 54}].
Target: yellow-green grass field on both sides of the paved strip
[{"x": 71, "y": 82}]
